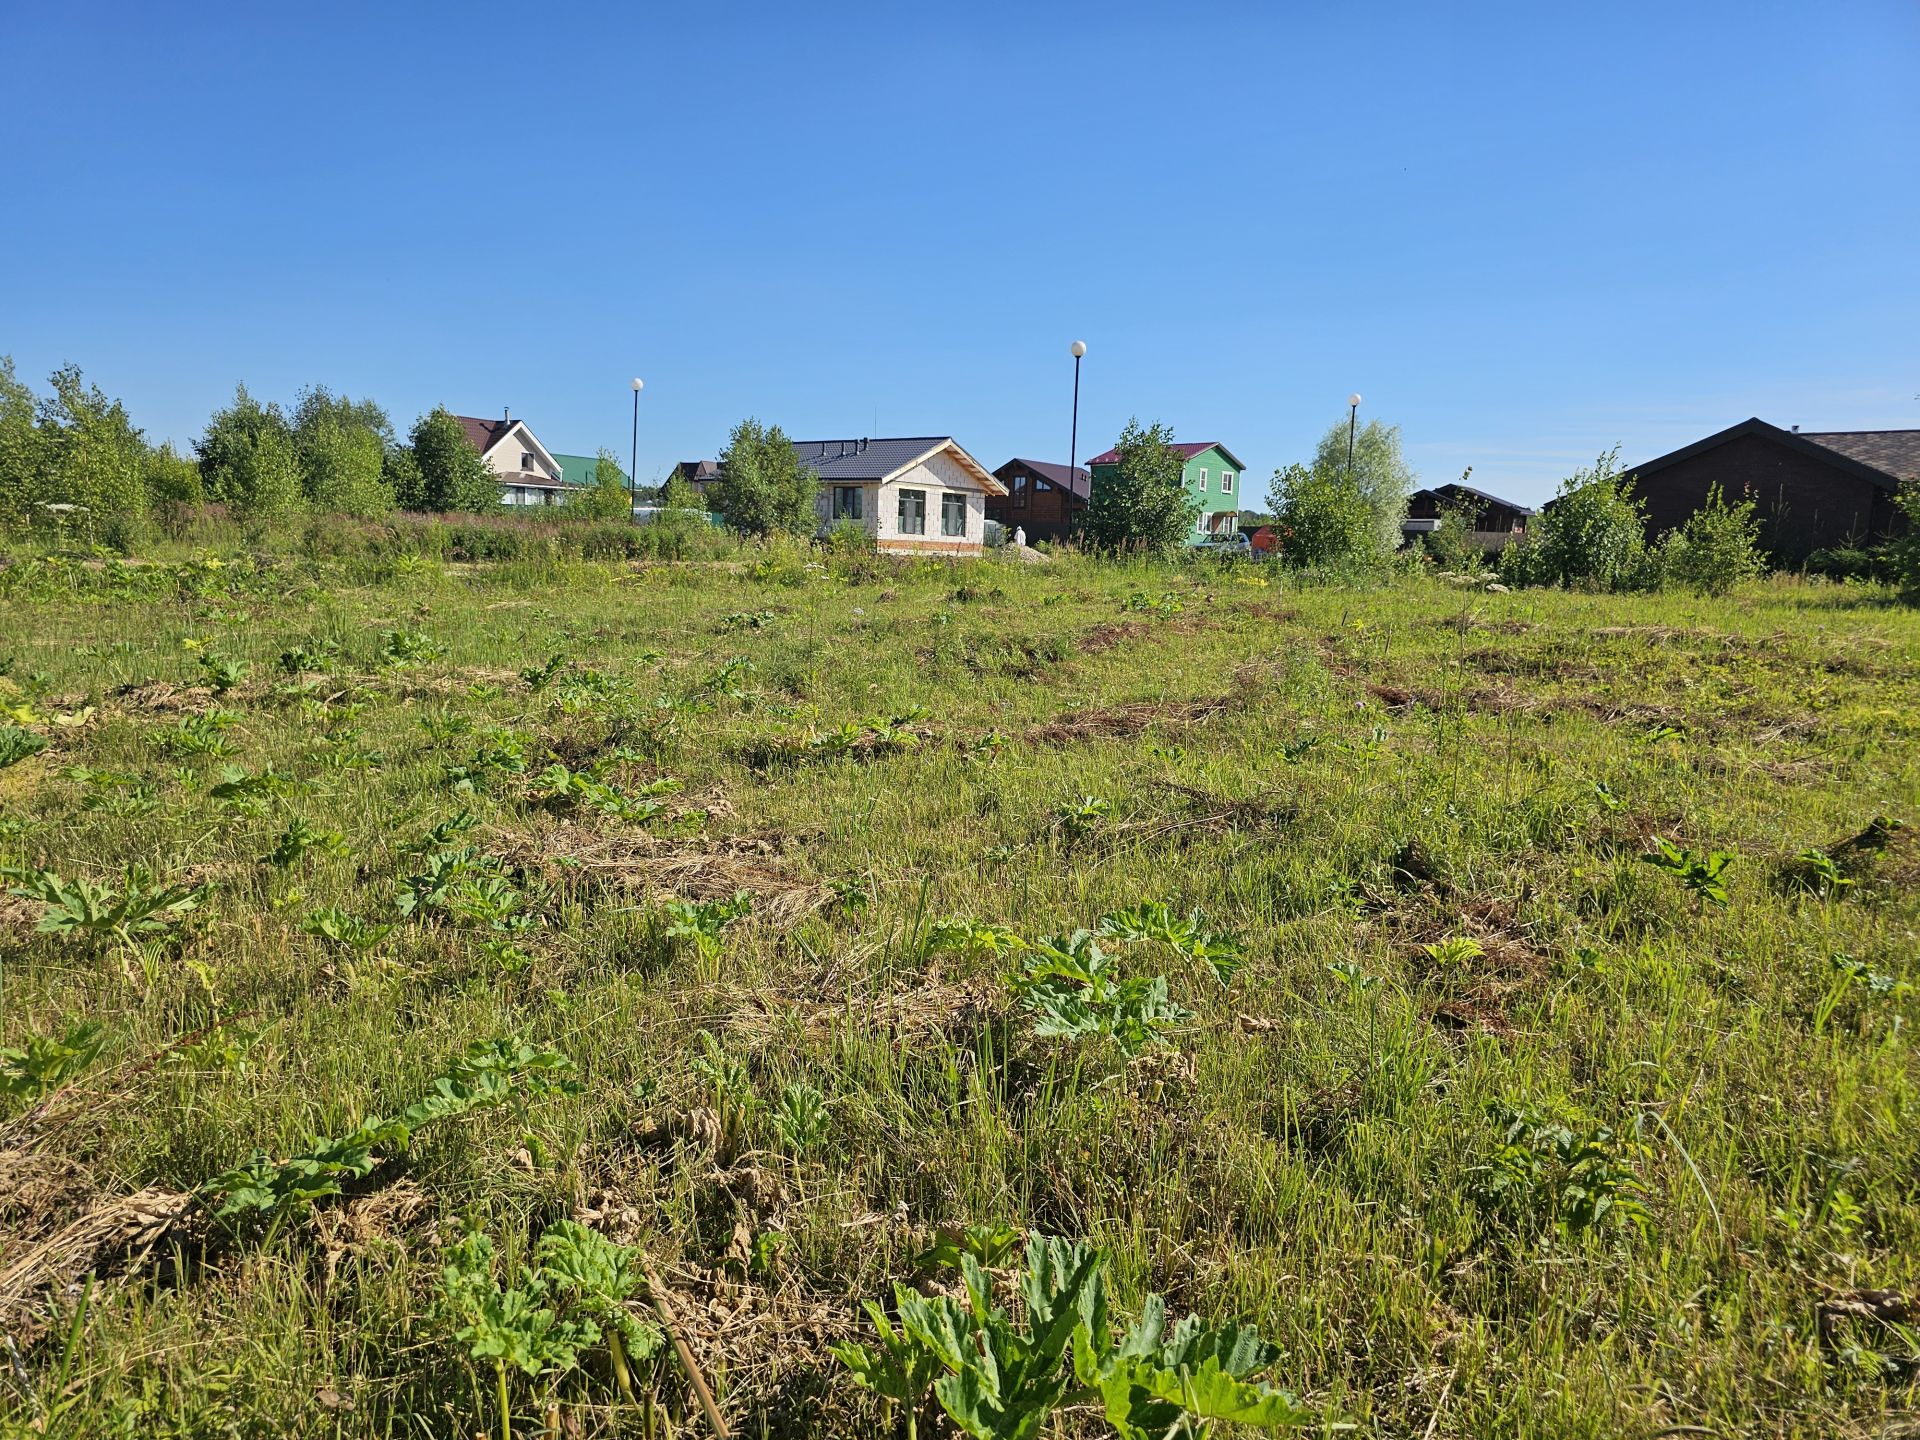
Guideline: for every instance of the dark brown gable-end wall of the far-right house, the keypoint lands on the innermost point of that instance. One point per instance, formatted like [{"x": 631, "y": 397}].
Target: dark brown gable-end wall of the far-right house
[{"x": 1804, "y": 504}]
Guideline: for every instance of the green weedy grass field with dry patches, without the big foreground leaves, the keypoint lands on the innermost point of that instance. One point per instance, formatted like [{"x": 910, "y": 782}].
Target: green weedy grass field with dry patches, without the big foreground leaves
[{"x": 1493, "y": 1130}]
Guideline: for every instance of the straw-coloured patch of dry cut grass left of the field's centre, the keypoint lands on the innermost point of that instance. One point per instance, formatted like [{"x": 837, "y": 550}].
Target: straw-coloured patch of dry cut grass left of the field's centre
[{"x": 692, "y": 869}]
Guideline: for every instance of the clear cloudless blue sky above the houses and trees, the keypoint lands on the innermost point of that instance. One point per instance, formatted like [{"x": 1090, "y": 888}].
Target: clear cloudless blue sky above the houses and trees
[{"x": 1524, "y": 231}]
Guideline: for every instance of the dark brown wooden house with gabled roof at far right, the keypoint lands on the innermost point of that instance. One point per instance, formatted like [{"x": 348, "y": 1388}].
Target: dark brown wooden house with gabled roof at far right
[{"x": 1812, "y": 491}]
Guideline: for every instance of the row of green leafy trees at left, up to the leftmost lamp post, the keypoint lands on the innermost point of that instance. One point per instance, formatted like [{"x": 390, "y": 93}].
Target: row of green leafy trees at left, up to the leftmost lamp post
[{"x": 76, "y": 452}]
